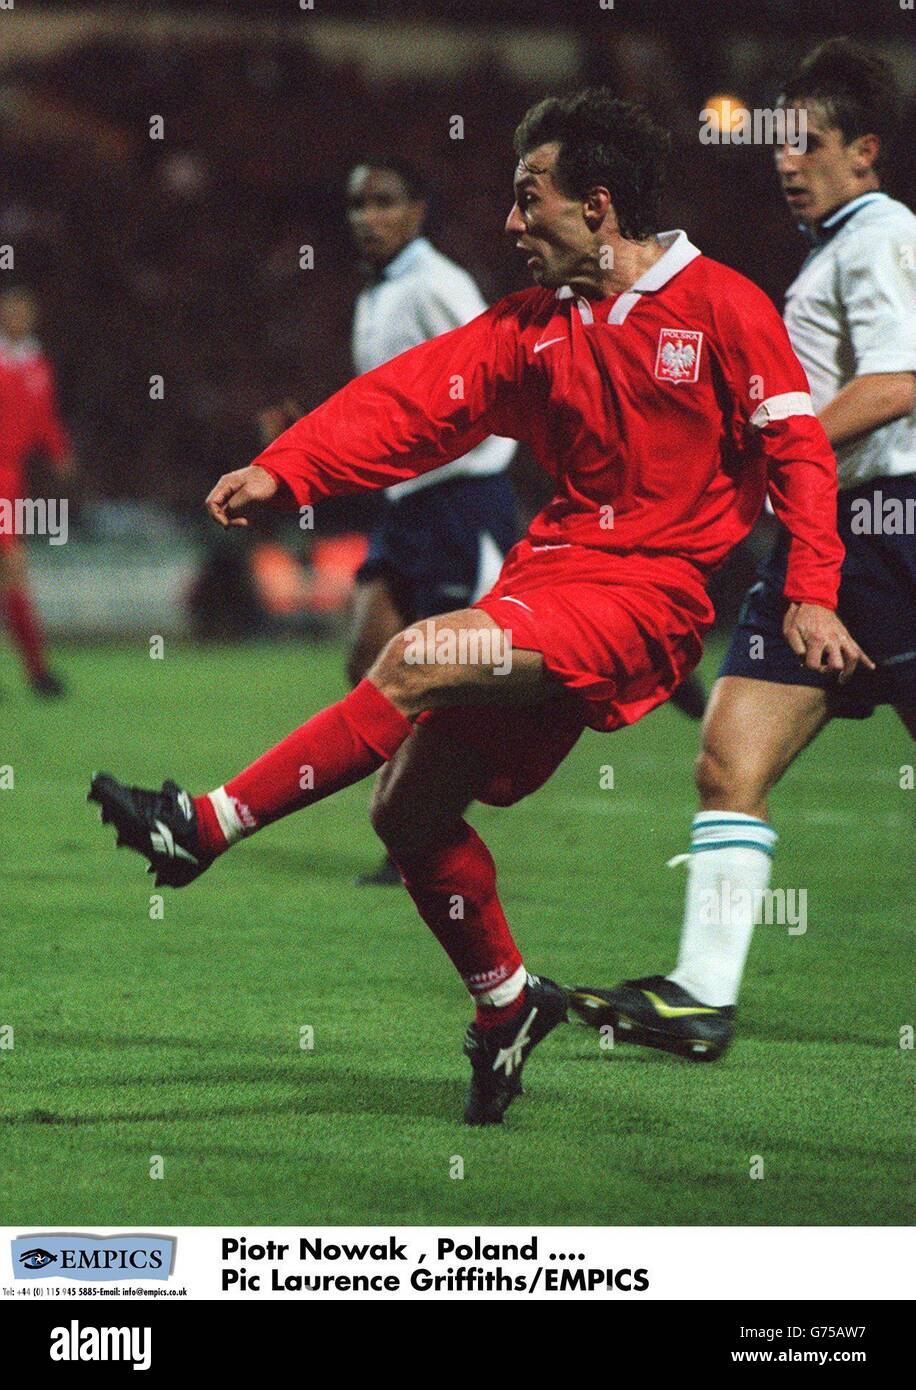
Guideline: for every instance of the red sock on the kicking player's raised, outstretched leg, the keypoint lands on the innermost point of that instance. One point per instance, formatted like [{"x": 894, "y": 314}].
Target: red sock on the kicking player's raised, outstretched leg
[{"x": 337, "y": 747}]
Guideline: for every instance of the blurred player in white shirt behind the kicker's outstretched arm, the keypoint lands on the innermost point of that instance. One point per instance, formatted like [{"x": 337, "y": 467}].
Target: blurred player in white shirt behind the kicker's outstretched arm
[{"x": 443, "y": 537}]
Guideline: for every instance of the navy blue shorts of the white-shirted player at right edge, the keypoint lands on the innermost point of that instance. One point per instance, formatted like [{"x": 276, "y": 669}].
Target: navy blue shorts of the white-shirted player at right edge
[{"x": 878, "y": 603}]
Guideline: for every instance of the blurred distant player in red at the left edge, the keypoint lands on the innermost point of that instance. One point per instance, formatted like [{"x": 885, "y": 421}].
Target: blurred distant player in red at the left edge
[{"x": 30, "y": 423}]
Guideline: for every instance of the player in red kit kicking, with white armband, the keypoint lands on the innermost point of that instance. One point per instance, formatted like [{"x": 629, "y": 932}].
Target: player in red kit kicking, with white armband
[{"x": 660, "y": 391}]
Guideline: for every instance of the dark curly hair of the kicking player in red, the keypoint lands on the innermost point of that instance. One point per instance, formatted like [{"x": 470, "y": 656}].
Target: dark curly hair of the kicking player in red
[{"x": 608, "y": 142}]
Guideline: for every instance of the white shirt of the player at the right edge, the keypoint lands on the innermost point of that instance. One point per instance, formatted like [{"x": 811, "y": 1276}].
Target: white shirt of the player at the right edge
[{"x": 853, "y": 312}]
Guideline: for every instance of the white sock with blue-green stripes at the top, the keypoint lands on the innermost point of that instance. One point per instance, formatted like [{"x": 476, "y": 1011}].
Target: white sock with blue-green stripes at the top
[{"x": 729, "y": 872}]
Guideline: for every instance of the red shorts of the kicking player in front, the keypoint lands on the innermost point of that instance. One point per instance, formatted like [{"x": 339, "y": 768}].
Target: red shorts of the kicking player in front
[{"x": 619, "y": 632}]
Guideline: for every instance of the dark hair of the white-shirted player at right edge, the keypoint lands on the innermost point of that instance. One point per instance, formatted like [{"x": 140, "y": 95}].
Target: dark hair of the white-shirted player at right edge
[{"x": 856, "y": 88}]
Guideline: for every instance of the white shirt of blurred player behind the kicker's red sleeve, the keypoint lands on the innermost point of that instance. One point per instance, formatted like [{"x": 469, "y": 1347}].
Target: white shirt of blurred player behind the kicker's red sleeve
[{"x": 419, "y": 295}]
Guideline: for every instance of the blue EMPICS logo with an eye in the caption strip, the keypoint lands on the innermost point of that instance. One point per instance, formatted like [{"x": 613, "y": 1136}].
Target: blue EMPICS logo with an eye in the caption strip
[{"x": 94, "y": 1259}]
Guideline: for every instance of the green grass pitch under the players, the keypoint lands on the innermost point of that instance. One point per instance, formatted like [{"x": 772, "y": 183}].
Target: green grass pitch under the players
[{"x": 180, "y": 1038}]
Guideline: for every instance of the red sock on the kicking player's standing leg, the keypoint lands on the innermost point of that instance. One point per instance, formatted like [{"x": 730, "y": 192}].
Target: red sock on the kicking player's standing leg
[{"x": 454, "y": 886}]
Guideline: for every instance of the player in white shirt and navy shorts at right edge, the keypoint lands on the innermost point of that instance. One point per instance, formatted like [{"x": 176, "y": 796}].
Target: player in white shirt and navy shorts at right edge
[{"x": 851, "y": 316}]
